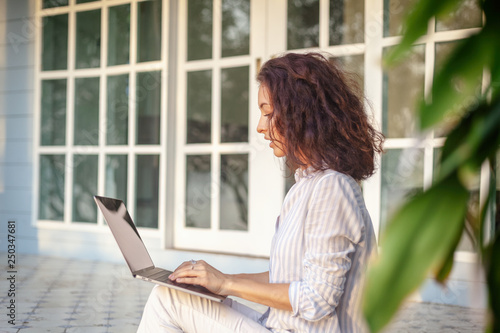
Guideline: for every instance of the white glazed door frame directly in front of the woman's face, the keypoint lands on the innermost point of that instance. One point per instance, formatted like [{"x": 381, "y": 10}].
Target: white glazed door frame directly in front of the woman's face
[{"x": 257, "y": 239}]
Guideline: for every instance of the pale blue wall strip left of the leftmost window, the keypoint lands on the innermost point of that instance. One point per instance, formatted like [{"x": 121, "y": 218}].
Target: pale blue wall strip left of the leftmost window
[{"x": 17, "y": 42}]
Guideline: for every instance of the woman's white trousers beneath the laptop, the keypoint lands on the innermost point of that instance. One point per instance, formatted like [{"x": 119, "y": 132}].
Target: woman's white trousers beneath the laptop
[{"x": 169, "y": 310}]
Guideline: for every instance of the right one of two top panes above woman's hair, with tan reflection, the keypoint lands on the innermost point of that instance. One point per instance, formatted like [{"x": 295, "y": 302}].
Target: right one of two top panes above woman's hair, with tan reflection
[{"x": 347, "y": 21}]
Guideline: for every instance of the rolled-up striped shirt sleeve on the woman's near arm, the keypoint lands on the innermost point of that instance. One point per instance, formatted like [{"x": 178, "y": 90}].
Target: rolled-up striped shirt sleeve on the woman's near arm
[{"x": 333, "y": 227}]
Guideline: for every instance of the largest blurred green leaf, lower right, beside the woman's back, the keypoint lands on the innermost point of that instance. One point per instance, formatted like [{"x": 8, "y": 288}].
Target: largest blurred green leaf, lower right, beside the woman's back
[{"x": 418, "y": 238}]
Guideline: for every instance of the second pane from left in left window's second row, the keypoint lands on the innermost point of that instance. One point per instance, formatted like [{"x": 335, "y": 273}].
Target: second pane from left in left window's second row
[{"x": 86, "y": 121}]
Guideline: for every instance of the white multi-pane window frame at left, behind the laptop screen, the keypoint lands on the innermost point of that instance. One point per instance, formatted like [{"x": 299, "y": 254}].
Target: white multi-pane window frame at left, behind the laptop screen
[{"x": 101, "y": 150}]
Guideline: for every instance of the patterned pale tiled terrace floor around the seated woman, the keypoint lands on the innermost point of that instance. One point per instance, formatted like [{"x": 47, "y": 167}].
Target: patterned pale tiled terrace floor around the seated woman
[{"x": 66, "y": 295}]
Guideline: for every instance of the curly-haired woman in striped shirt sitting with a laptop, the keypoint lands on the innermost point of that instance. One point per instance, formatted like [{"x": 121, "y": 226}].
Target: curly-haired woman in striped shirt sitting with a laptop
[{"x": 324, "y": 235}]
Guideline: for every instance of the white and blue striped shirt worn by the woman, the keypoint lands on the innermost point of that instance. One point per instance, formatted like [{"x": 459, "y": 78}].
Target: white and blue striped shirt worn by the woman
[{"x": 323, "y": 239}]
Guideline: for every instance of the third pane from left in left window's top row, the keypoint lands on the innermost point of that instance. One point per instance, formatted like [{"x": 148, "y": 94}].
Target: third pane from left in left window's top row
[{"x": 119, "y": 35}]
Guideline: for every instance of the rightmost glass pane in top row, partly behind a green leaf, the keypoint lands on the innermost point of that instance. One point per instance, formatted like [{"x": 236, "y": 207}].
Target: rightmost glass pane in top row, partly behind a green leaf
[{"x": 467, "y": 15}]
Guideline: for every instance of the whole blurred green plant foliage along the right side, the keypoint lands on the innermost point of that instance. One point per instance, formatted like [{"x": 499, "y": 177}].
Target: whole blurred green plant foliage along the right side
[{"x": 423, "y": 235}]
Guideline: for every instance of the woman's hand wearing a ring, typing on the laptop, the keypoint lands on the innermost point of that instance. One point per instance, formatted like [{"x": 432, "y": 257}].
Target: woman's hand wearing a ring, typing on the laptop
[{"x": 201, "y": 273}]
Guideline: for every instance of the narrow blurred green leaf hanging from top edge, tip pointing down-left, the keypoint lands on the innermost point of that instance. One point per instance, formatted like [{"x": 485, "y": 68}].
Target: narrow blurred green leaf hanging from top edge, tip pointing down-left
[{"x": 415, "y": 24}]
